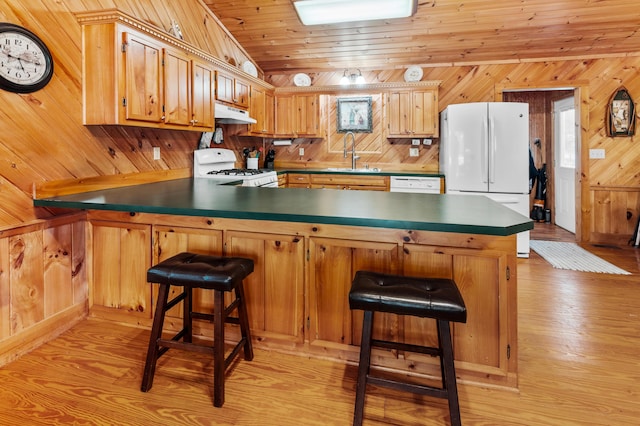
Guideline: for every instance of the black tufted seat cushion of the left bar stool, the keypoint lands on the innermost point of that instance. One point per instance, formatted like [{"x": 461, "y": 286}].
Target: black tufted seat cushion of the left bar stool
[{"x": 201, "y": 271}]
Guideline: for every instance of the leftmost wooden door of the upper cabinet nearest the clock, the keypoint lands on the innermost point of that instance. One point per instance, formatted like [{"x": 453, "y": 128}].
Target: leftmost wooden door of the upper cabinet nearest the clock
[{"x": 143, "y": 79}]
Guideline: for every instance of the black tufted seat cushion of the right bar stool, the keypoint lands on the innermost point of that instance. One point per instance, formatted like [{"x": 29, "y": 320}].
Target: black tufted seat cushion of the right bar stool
[{"x": 422, "y": 297}]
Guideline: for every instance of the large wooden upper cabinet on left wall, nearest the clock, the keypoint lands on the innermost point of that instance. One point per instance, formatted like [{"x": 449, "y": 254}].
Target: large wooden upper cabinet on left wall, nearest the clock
[{"x": 131, "y": 77}]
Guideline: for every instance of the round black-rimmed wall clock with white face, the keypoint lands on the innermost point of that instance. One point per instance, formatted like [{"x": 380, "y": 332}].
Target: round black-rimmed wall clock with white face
[{"x": 26, "y": 64}]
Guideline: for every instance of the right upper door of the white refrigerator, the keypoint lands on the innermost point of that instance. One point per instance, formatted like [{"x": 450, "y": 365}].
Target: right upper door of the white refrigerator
[{"x": 508, "y": 147}]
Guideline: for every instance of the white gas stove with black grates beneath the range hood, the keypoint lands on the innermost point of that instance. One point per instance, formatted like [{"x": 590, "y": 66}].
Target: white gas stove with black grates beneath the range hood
[{"x": 220, "y": 164}]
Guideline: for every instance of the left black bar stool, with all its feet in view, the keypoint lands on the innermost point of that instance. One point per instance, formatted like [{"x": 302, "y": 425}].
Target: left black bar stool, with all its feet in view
[{"x": 217, "y": 273}]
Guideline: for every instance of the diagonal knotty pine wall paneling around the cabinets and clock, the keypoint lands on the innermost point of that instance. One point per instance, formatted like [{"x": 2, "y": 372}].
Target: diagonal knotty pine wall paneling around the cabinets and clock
[{"x": 42, "y": 139}]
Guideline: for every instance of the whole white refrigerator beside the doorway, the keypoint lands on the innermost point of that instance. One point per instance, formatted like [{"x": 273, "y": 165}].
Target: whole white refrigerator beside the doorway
[{"x": 484, "y": 150}]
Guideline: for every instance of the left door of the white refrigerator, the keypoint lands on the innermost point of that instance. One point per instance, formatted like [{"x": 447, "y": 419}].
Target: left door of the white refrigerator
[{"x": 464, "y": 148}]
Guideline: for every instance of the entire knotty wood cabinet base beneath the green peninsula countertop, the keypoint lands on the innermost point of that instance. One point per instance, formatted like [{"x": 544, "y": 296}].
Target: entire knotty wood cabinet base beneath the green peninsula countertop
[{"x": 298, "y": 292}]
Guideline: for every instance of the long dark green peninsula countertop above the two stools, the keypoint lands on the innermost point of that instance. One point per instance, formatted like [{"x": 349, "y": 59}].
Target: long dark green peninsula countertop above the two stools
[{"x": 203, "y": 197}]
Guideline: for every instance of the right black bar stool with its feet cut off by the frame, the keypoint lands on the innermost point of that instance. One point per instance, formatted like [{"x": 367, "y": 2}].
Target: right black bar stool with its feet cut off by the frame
[{"x": 421, "y": 297}]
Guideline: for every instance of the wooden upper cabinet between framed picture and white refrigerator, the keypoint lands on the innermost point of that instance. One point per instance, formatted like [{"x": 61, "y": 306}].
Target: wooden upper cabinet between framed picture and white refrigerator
[{"x": 412, "y": 113}]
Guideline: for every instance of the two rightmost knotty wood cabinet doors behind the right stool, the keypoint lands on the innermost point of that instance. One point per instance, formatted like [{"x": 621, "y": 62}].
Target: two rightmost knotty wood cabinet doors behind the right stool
[{"x": 483, "y": 342}]
